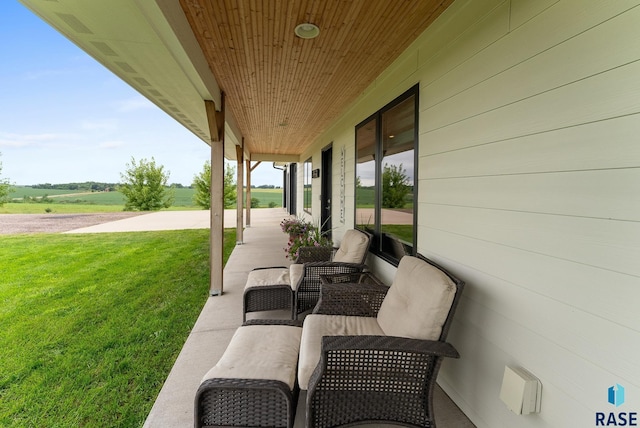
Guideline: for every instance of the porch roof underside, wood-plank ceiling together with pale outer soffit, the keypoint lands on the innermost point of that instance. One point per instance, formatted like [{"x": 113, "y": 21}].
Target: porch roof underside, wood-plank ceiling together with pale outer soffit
[{"x": 281, "y": 92}]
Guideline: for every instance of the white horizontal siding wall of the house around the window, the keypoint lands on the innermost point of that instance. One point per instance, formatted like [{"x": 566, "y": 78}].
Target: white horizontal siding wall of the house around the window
[{"x": 529, "y": 189}]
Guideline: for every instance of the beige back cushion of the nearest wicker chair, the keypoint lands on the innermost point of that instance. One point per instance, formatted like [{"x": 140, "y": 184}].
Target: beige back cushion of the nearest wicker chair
[{"x": 418, "y": 301}]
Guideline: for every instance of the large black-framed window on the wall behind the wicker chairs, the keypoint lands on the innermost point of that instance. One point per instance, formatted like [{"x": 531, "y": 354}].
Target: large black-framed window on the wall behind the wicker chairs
[{"x": 386, "y": 149}]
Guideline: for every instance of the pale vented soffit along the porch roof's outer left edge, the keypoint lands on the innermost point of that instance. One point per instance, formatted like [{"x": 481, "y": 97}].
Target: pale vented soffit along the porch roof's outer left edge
[{"x": 149, "y": 45}]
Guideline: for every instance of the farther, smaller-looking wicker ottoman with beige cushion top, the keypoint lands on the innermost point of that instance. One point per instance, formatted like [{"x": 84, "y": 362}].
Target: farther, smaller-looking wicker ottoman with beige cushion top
[{"x": 267, "y": 289}]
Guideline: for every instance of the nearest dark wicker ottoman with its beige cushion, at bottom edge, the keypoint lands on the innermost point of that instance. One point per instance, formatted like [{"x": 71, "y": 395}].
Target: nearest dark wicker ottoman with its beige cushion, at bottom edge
[{"x": 254, "y": 383}]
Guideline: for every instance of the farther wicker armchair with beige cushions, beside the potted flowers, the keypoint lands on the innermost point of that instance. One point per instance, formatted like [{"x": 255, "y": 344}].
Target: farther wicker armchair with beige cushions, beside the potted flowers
[{"x": 305, "y": 273}]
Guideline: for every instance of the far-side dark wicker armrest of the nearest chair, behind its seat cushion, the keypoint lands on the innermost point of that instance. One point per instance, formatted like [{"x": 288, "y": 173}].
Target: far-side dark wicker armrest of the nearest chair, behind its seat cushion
[{"x": 362, "y": 299}]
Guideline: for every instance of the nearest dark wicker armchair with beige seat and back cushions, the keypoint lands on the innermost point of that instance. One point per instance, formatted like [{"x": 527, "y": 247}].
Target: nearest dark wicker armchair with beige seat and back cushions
[{"x": 381, "y": 368}]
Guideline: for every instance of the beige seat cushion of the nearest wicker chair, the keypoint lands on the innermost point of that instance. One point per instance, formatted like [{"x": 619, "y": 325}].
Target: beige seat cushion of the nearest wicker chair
[{"x": 316, "y": 326}]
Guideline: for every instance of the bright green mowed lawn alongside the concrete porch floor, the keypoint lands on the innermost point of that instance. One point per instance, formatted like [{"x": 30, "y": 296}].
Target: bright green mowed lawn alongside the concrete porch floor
[{"x": 92, "y": 323}]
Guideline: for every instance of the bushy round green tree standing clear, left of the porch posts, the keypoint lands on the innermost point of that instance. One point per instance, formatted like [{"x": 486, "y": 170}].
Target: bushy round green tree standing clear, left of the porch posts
[{"x": 145, "y": 186}]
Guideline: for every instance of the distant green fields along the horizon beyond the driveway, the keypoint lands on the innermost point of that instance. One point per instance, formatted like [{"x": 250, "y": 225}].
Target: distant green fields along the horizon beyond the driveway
[{"x": 85, "y": 202}]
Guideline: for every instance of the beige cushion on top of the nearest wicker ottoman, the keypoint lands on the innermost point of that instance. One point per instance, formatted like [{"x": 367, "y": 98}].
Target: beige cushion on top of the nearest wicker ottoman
[{"x": 260, "y": 352}]
